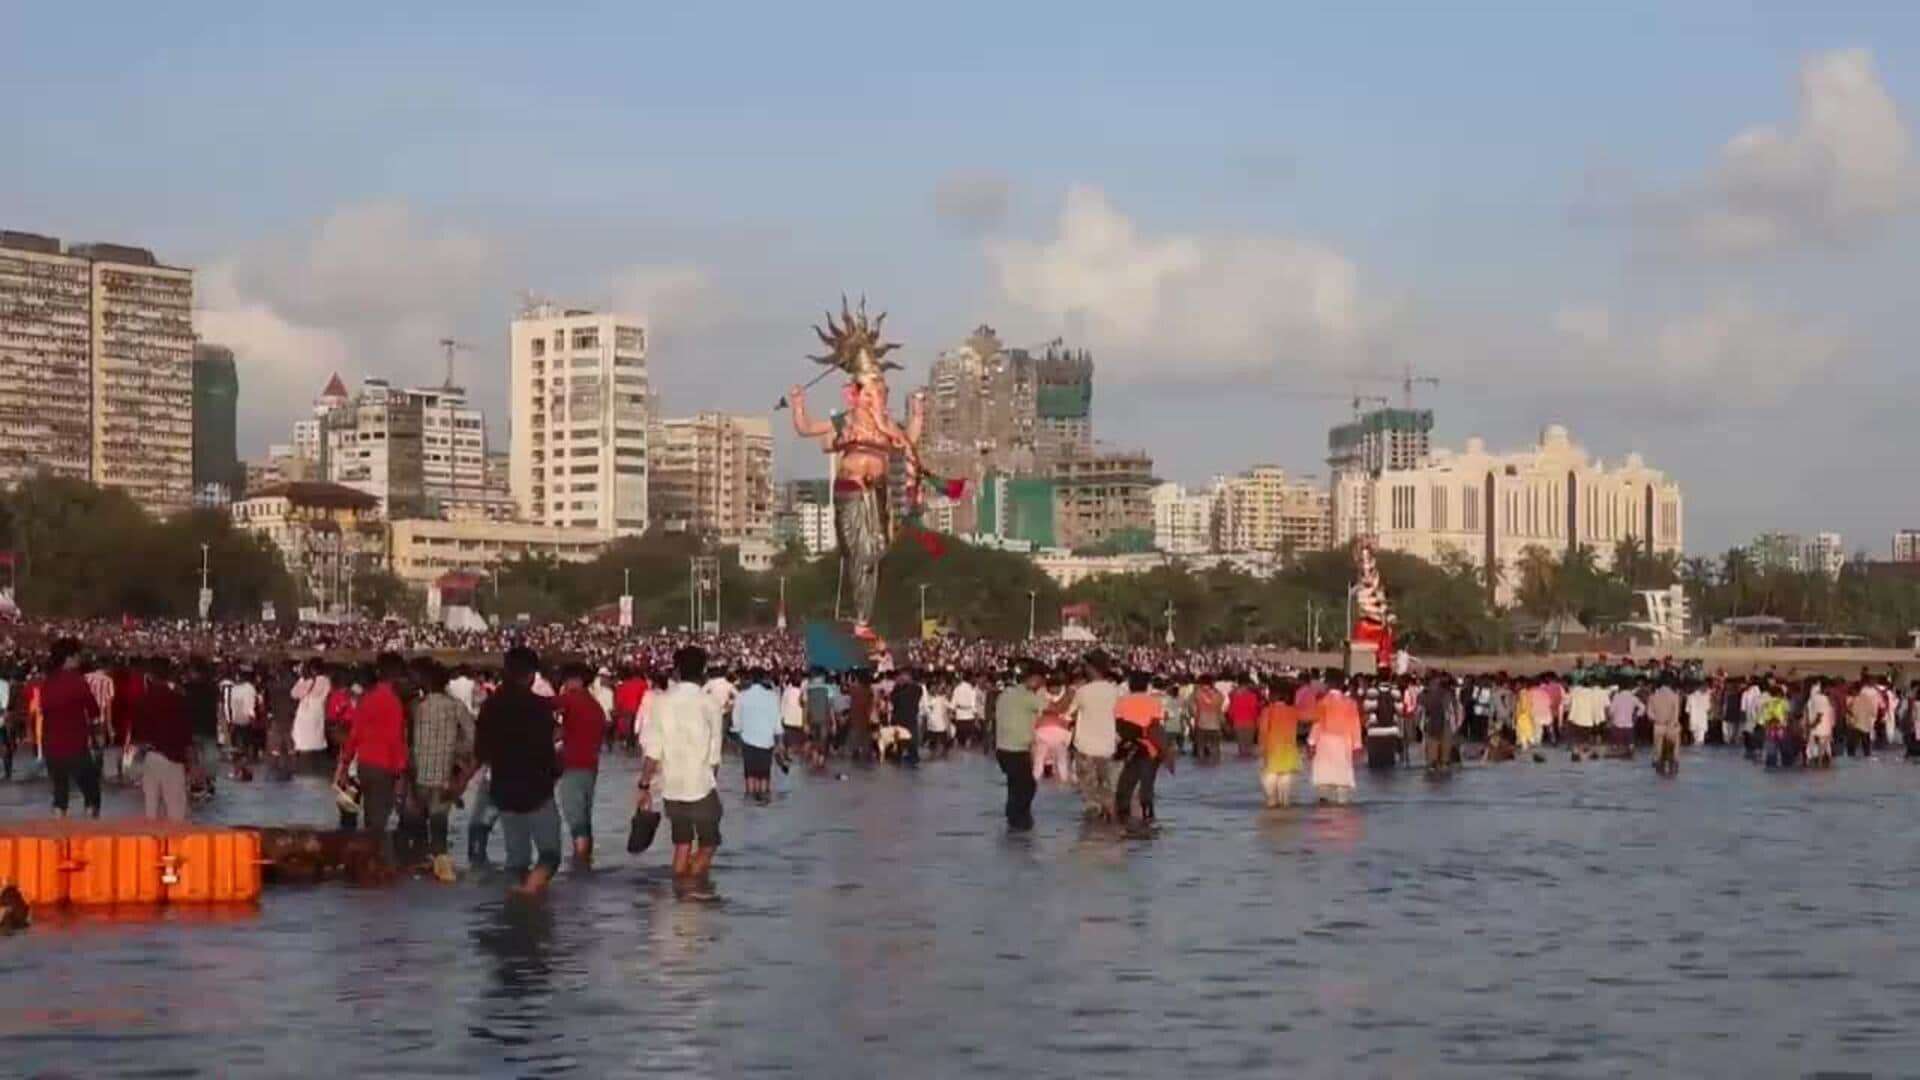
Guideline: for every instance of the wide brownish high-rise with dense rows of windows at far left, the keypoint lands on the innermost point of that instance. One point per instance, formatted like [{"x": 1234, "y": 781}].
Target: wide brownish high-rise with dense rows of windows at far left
[{"x": 97, "y": 353}]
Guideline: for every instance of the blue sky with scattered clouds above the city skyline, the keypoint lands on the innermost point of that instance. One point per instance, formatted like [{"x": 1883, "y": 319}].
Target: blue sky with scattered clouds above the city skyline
[{"x": 1679, "y": 230}]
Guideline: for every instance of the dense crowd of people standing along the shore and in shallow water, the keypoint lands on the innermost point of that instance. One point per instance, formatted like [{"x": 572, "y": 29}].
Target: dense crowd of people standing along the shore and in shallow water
[{"x": 517, "y": 741}]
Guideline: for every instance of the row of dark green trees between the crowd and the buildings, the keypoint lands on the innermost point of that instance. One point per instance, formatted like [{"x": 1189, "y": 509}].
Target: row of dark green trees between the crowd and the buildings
[{"x": 91, "y": 552}]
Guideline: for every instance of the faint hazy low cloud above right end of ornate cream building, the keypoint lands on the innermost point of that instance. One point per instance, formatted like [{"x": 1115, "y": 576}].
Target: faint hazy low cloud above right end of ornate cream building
[{"x": 1727, "y": 355}]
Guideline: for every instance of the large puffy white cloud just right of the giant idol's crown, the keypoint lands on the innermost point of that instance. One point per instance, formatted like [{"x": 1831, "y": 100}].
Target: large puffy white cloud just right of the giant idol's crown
[{"x": 1186, "y": 305}]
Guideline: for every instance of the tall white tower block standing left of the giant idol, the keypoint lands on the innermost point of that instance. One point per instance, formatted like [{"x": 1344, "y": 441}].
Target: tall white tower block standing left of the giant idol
[{"x": 581, "y": 412}]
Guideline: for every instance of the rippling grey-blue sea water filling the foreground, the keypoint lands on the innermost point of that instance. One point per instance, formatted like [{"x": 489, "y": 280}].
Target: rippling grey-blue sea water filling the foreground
[{"x": 1518, "y": 920}]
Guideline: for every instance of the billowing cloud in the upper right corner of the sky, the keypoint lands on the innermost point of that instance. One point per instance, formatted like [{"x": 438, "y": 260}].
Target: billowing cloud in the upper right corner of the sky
[{"x": 1842, "y": 168}]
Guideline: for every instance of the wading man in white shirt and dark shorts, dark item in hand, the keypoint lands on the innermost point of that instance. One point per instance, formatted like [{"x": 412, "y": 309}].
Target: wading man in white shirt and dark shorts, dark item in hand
[{"x": 683, "y": 747}]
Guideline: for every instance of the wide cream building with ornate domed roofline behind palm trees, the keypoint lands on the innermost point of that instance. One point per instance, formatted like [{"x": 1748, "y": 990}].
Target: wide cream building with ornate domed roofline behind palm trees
[{"x": 1493, "y": 508}]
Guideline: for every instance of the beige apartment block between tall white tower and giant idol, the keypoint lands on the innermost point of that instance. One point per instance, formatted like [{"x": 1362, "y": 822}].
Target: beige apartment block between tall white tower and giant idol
[{"x": 713, "y": 476}]
